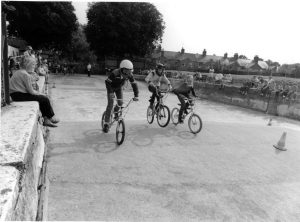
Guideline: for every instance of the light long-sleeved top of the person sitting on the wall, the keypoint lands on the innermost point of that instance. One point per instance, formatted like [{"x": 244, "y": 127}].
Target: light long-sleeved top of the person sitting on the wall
[{"x": 21, "y": 81}]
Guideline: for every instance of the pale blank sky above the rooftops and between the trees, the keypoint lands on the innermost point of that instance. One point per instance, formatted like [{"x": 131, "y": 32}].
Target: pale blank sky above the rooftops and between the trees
[{"x": 269, "y": 29}]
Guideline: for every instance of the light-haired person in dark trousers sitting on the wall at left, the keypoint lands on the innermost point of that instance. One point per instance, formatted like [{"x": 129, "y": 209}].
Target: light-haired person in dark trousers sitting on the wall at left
[{"x": 21, "y": 89}]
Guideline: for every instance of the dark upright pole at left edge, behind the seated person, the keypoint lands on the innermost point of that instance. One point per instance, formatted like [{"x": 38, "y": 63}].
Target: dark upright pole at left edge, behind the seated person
[{"x": 5, "y": 60}]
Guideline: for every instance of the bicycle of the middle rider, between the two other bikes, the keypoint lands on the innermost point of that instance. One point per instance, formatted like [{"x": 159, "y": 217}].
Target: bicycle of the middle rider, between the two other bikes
[{"x": 161, "y": 111}]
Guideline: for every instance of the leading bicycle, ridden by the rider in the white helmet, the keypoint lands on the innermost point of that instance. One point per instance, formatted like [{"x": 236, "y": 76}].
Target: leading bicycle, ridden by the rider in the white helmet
[{"x": 119, "y": 118}]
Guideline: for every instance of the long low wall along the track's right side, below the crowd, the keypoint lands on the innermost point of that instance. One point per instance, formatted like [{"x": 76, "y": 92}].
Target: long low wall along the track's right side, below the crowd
[{"x": 230, "y": 95}]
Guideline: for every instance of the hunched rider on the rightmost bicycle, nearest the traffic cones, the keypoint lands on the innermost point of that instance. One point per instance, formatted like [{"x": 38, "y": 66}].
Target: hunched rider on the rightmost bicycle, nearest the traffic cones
[{"x": 182, "y": 92}]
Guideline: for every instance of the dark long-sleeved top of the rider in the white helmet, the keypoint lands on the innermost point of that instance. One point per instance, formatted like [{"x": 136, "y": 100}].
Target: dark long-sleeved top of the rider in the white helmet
[{"x": 116, "y": 80}]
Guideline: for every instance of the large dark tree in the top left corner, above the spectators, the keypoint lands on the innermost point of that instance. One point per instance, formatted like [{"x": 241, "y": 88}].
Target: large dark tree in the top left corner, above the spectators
[{"x": 43, "y": 24}]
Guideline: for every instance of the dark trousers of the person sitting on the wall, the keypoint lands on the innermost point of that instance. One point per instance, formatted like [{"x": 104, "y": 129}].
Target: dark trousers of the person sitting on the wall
[{"x": 44, "y": 102}]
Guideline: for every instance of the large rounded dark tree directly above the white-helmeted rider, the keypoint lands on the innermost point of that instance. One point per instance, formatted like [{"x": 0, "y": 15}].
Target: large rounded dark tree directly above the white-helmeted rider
[{"x": 118, "y": 29}]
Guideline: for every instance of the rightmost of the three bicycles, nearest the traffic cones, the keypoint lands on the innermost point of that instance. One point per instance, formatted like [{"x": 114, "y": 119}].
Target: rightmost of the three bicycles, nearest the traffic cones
[{"x": 194, "y": 122}]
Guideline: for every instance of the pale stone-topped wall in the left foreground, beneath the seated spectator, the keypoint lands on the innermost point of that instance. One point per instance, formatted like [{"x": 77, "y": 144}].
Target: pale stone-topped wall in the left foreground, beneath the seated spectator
[{"x": 21, "y": 157}]
